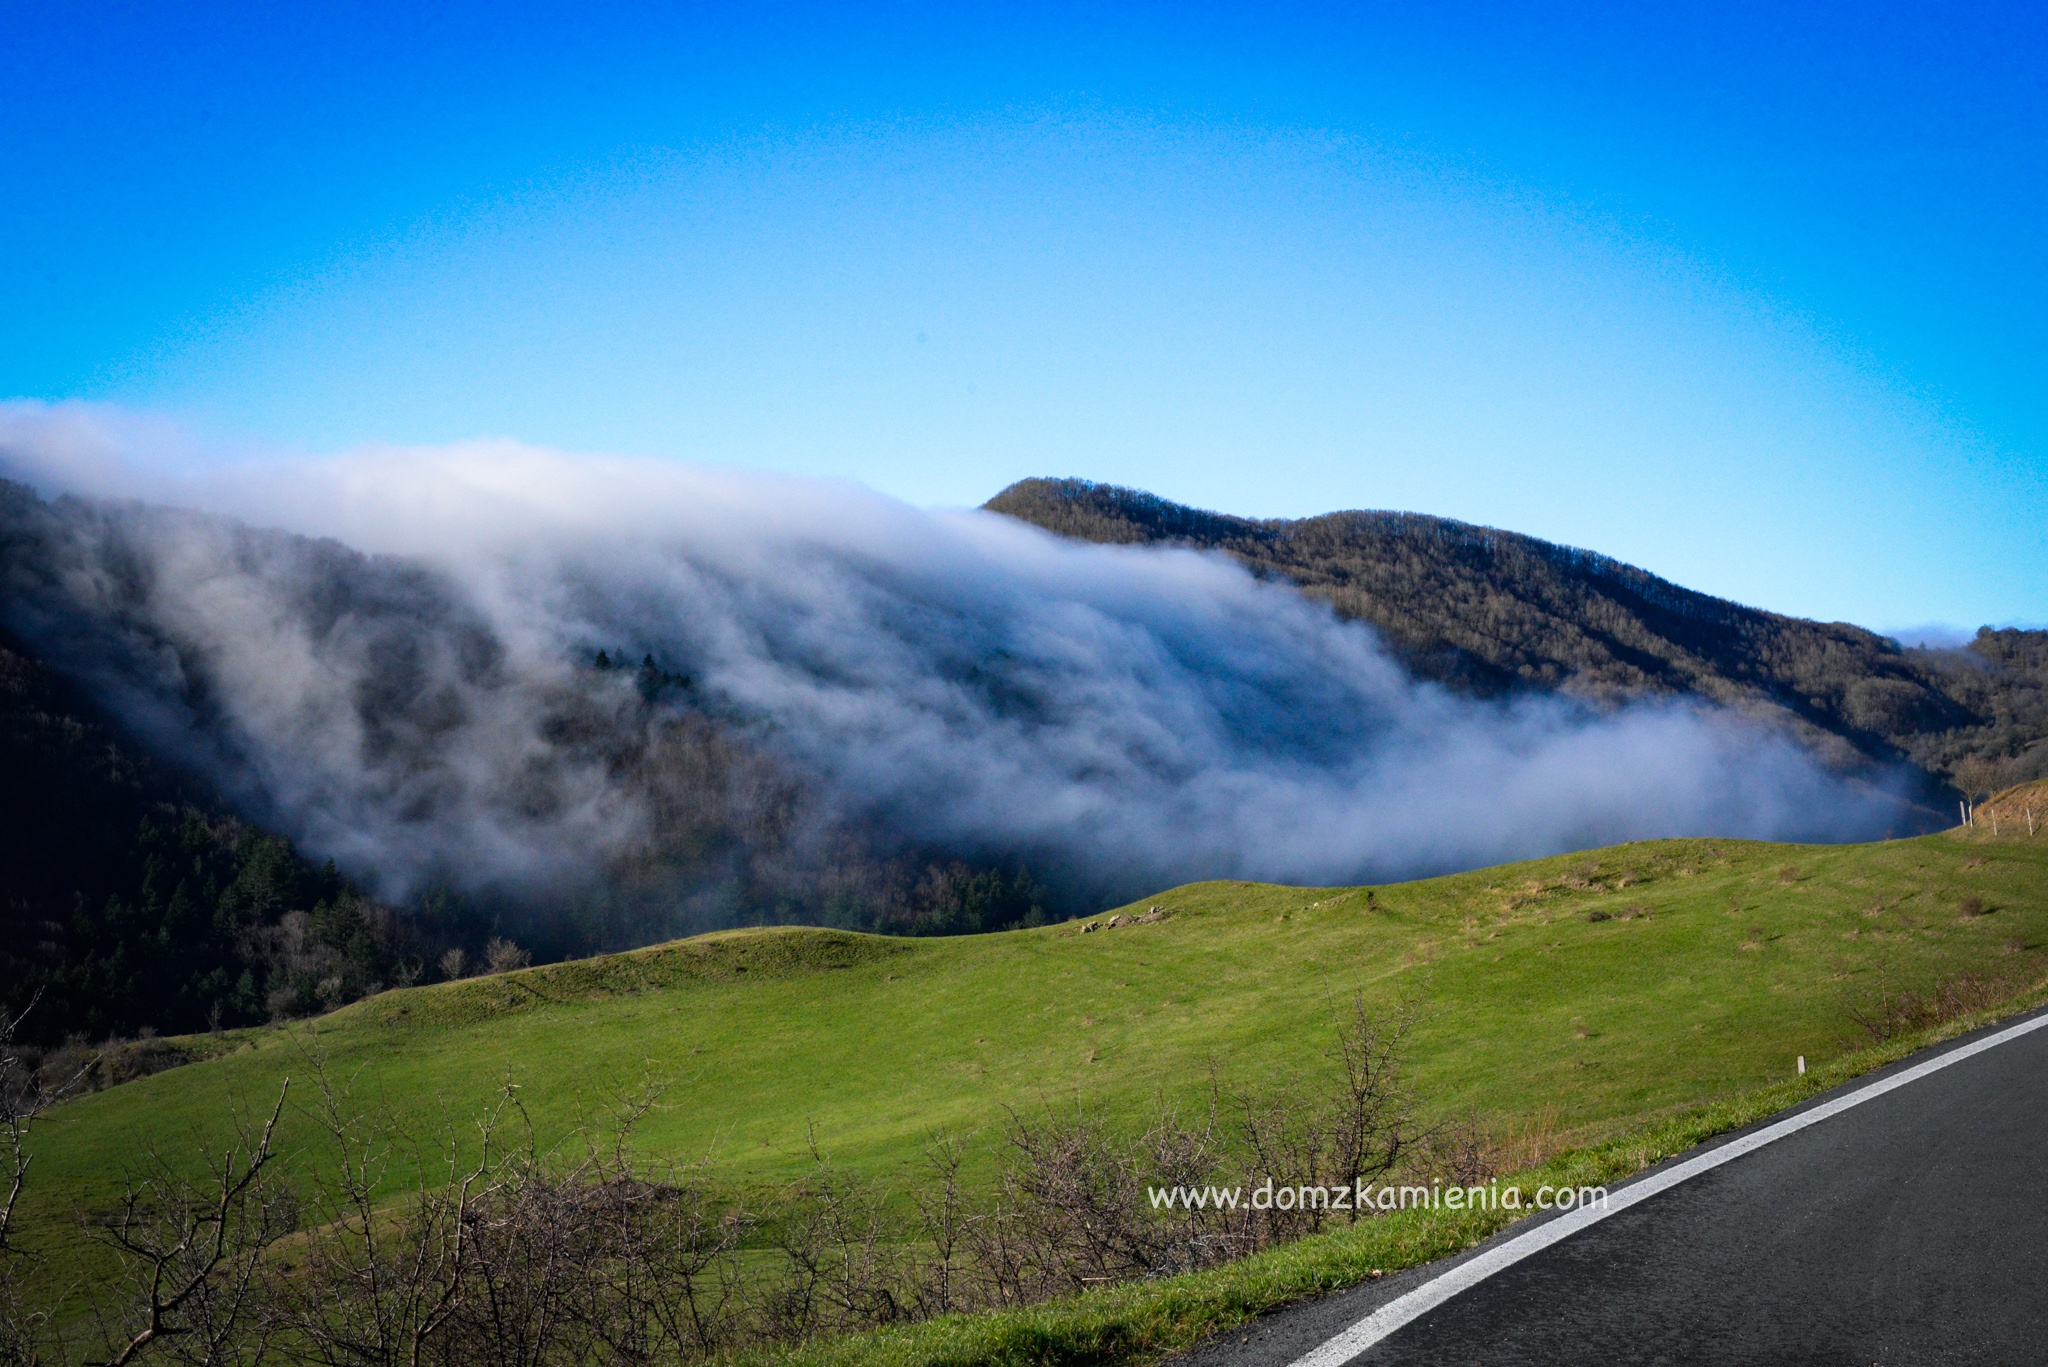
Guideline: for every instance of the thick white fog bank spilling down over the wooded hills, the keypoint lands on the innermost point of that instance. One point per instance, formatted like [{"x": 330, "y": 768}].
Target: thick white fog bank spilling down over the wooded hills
[{"x": 390, "y": 655}]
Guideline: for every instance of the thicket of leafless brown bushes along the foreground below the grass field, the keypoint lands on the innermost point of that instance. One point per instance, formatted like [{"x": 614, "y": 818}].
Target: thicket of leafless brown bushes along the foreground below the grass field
[{"x": 497, "y": 1251}]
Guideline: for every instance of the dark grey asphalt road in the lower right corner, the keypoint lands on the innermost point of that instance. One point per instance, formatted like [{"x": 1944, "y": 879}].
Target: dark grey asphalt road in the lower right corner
[{"x": 1912, "y": 1229}]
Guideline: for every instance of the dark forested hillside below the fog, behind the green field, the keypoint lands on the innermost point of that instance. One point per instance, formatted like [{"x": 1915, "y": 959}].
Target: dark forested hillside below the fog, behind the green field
[{"x": 134, "y": 901}]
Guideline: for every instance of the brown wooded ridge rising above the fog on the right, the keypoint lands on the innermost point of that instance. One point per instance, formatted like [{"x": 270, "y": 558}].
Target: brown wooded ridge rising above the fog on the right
[{"x": 1490, "y": 612}]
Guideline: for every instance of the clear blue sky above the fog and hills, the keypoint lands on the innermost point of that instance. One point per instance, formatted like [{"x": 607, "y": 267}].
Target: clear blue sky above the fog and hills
[{"x": 1752, "y": 296}]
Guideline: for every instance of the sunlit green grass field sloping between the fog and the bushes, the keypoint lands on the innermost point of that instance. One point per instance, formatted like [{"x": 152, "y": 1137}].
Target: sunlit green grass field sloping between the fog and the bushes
[{"x": 1576, "y": 997}]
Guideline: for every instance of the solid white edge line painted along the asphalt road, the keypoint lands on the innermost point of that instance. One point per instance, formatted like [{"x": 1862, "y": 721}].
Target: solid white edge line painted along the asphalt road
[{"x": 1439, "y": 1290}]
